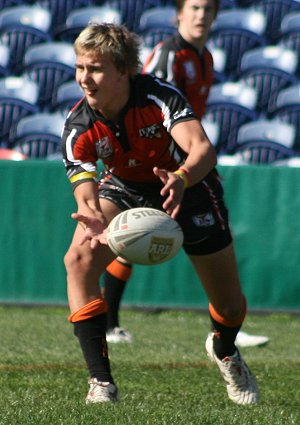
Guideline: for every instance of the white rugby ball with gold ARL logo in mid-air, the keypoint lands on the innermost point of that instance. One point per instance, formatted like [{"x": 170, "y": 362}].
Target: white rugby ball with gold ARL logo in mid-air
[{"x": 144, "y": 236}]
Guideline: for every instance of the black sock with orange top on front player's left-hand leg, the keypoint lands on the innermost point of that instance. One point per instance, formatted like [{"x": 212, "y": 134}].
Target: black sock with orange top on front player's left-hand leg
[{"x": 90, "y": 330}]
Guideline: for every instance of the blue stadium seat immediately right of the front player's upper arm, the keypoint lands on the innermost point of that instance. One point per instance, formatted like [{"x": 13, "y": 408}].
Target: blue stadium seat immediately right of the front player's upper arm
[{"x": 230, "y": 105}]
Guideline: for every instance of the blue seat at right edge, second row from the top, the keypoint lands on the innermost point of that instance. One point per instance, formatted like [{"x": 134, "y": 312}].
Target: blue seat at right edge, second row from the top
[{"x": 269, "y": 69}]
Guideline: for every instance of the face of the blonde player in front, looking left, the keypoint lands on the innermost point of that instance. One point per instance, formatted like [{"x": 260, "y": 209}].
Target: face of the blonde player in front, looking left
[{"x": 103, "y": 84}]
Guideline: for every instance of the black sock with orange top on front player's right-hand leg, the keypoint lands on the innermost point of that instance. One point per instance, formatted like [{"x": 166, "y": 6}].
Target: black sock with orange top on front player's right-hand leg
[{"x": 225, "y": 332}]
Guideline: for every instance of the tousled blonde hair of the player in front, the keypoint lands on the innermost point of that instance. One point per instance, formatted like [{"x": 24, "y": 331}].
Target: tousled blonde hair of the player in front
[{"x": 122, "y": 45}]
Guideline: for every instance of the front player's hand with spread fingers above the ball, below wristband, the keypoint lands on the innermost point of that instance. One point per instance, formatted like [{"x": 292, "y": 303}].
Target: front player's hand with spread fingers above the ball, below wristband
[{"x": 173, "y": 189}]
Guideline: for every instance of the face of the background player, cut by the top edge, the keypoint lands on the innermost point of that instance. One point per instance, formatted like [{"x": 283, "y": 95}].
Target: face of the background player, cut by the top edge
[{"x": 195, "y": 20}]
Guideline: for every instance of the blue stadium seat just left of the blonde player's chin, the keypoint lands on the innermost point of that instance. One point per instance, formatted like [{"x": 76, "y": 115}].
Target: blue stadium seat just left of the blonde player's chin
[{"x": 66, "y": 96}]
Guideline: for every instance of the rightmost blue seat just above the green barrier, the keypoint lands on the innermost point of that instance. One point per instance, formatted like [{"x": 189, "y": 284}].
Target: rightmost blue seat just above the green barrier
[{"x": 265, "y": 141}]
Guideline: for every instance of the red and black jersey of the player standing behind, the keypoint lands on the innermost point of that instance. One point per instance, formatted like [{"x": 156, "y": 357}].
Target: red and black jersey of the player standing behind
[{"x": 180, "y": 63}]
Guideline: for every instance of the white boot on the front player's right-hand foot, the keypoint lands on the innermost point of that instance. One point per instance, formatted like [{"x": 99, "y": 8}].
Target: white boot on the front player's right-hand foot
[{"x": 240, "y": 382}]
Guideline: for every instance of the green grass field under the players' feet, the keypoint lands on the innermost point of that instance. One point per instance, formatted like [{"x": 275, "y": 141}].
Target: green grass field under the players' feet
[{"x": 164, "y": 377}]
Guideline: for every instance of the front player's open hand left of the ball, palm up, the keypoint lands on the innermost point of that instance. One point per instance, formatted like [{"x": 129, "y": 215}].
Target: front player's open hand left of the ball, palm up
[{"x": 95, "y": 231}]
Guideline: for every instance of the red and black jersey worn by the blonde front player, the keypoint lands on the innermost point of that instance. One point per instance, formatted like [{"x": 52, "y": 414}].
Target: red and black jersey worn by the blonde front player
[{"x": 139, "y": 141}]
